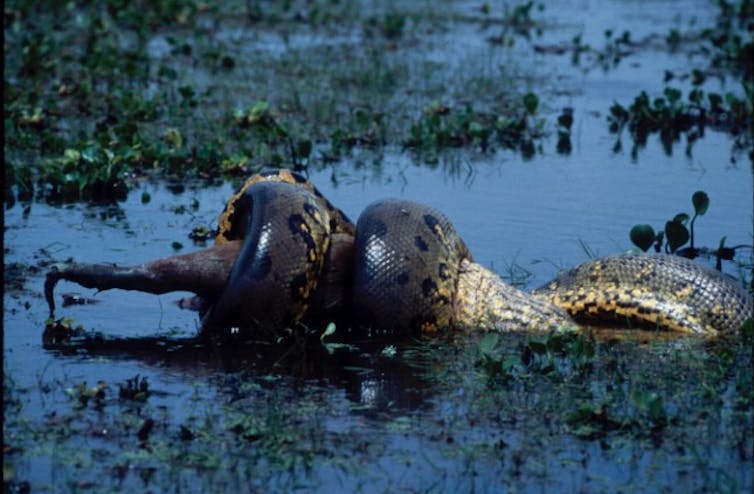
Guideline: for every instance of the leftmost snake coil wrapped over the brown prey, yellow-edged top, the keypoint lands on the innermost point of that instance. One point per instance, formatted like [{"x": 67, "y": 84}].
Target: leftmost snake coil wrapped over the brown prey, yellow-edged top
[{"x": 286, "y": 226}]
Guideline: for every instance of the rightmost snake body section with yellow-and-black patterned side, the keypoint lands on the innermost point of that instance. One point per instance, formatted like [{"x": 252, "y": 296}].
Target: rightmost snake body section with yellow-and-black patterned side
[{"x": 649, "y": 291}]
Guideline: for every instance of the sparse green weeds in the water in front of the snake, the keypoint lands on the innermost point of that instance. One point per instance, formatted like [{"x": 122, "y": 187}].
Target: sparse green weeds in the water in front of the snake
[{"x": 274, "y": 427}]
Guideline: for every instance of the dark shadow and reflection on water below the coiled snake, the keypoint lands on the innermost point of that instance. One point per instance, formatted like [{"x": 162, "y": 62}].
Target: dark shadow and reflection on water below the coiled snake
[{"x": 378, "y": 383}]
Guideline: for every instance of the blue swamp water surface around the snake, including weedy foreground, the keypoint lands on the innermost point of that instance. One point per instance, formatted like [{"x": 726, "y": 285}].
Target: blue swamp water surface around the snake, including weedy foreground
[{"x": 659, "y": 416}]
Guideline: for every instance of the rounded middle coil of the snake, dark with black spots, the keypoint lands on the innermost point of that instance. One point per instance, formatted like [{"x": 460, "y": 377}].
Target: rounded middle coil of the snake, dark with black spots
[{"x": 407, "y": 259}]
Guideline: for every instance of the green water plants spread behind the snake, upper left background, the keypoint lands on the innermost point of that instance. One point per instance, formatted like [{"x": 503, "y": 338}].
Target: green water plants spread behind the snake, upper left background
[{"x": 99, "y": 92}]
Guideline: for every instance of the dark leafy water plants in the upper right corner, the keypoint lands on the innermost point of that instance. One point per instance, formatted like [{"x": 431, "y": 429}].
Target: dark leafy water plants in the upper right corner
[{"x": 729, "y": 48}]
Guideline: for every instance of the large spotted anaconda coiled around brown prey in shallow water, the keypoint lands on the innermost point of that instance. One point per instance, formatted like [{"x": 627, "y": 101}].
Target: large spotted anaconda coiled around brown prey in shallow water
[{"x": 284, "y": 255}]
